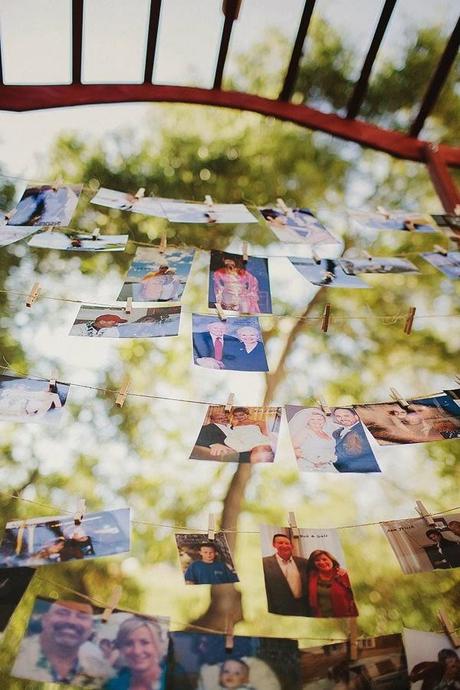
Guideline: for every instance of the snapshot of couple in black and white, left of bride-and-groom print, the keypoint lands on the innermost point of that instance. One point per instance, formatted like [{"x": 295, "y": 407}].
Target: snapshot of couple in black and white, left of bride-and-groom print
[{"x": 238, "y": 434}]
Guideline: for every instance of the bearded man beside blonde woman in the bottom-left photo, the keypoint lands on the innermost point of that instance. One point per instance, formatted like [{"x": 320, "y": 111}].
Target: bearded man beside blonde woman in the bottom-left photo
[{"x": 56, "y": 655}]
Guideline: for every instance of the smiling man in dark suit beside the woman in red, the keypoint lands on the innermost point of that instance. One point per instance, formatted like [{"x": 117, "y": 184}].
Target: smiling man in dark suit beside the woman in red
[{"x": 286, "y": 582}]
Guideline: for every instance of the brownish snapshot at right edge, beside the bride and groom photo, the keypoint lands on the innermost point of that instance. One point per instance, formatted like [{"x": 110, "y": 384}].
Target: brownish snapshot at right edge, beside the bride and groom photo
[{"x": 436, "y": 418}]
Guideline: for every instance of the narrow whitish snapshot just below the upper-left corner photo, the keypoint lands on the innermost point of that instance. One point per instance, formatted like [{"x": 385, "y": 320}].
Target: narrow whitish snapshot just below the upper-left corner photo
[{"x": 79, "y": 242}]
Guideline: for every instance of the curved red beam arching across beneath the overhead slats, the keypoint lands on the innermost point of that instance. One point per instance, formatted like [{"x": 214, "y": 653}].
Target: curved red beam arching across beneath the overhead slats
[{"x": 23, "y": 98}]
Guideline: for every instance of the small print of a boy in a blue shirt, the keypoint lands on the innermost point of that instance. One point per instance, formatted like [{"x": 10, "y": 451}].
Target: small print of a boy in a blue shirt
[{"x": 205, "y": 561}]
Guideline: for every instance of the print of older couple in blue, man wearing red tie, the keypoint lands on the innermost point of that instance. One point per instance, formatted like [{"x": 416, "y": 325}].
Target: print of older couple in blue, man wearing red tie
[{"x": 235, "y": 343}]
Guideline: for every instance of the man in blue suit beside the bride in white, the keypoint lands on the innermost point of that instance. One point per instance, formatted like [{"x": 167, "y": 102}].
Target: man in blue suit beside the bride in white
[{"x": 353, "y": 451}]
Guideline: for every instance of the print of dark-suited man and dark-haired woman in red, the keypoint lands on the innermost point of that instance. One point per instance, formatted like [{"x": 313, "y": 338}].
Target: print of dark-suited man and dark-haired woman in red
[{"x": 306, "y": 576}]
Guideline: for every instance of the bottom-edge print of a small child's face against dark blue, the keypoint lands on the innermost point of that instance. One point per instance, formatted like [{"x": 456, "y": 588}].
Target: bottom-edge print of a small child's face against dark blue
[{"x": 201, "y": 662}]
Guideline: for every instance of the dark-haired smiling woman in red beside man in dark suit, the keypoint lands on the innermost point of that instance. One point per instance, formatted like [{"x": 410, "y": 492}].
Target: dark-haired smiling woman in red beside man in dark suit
[{"x": 329, "y": 589}]
